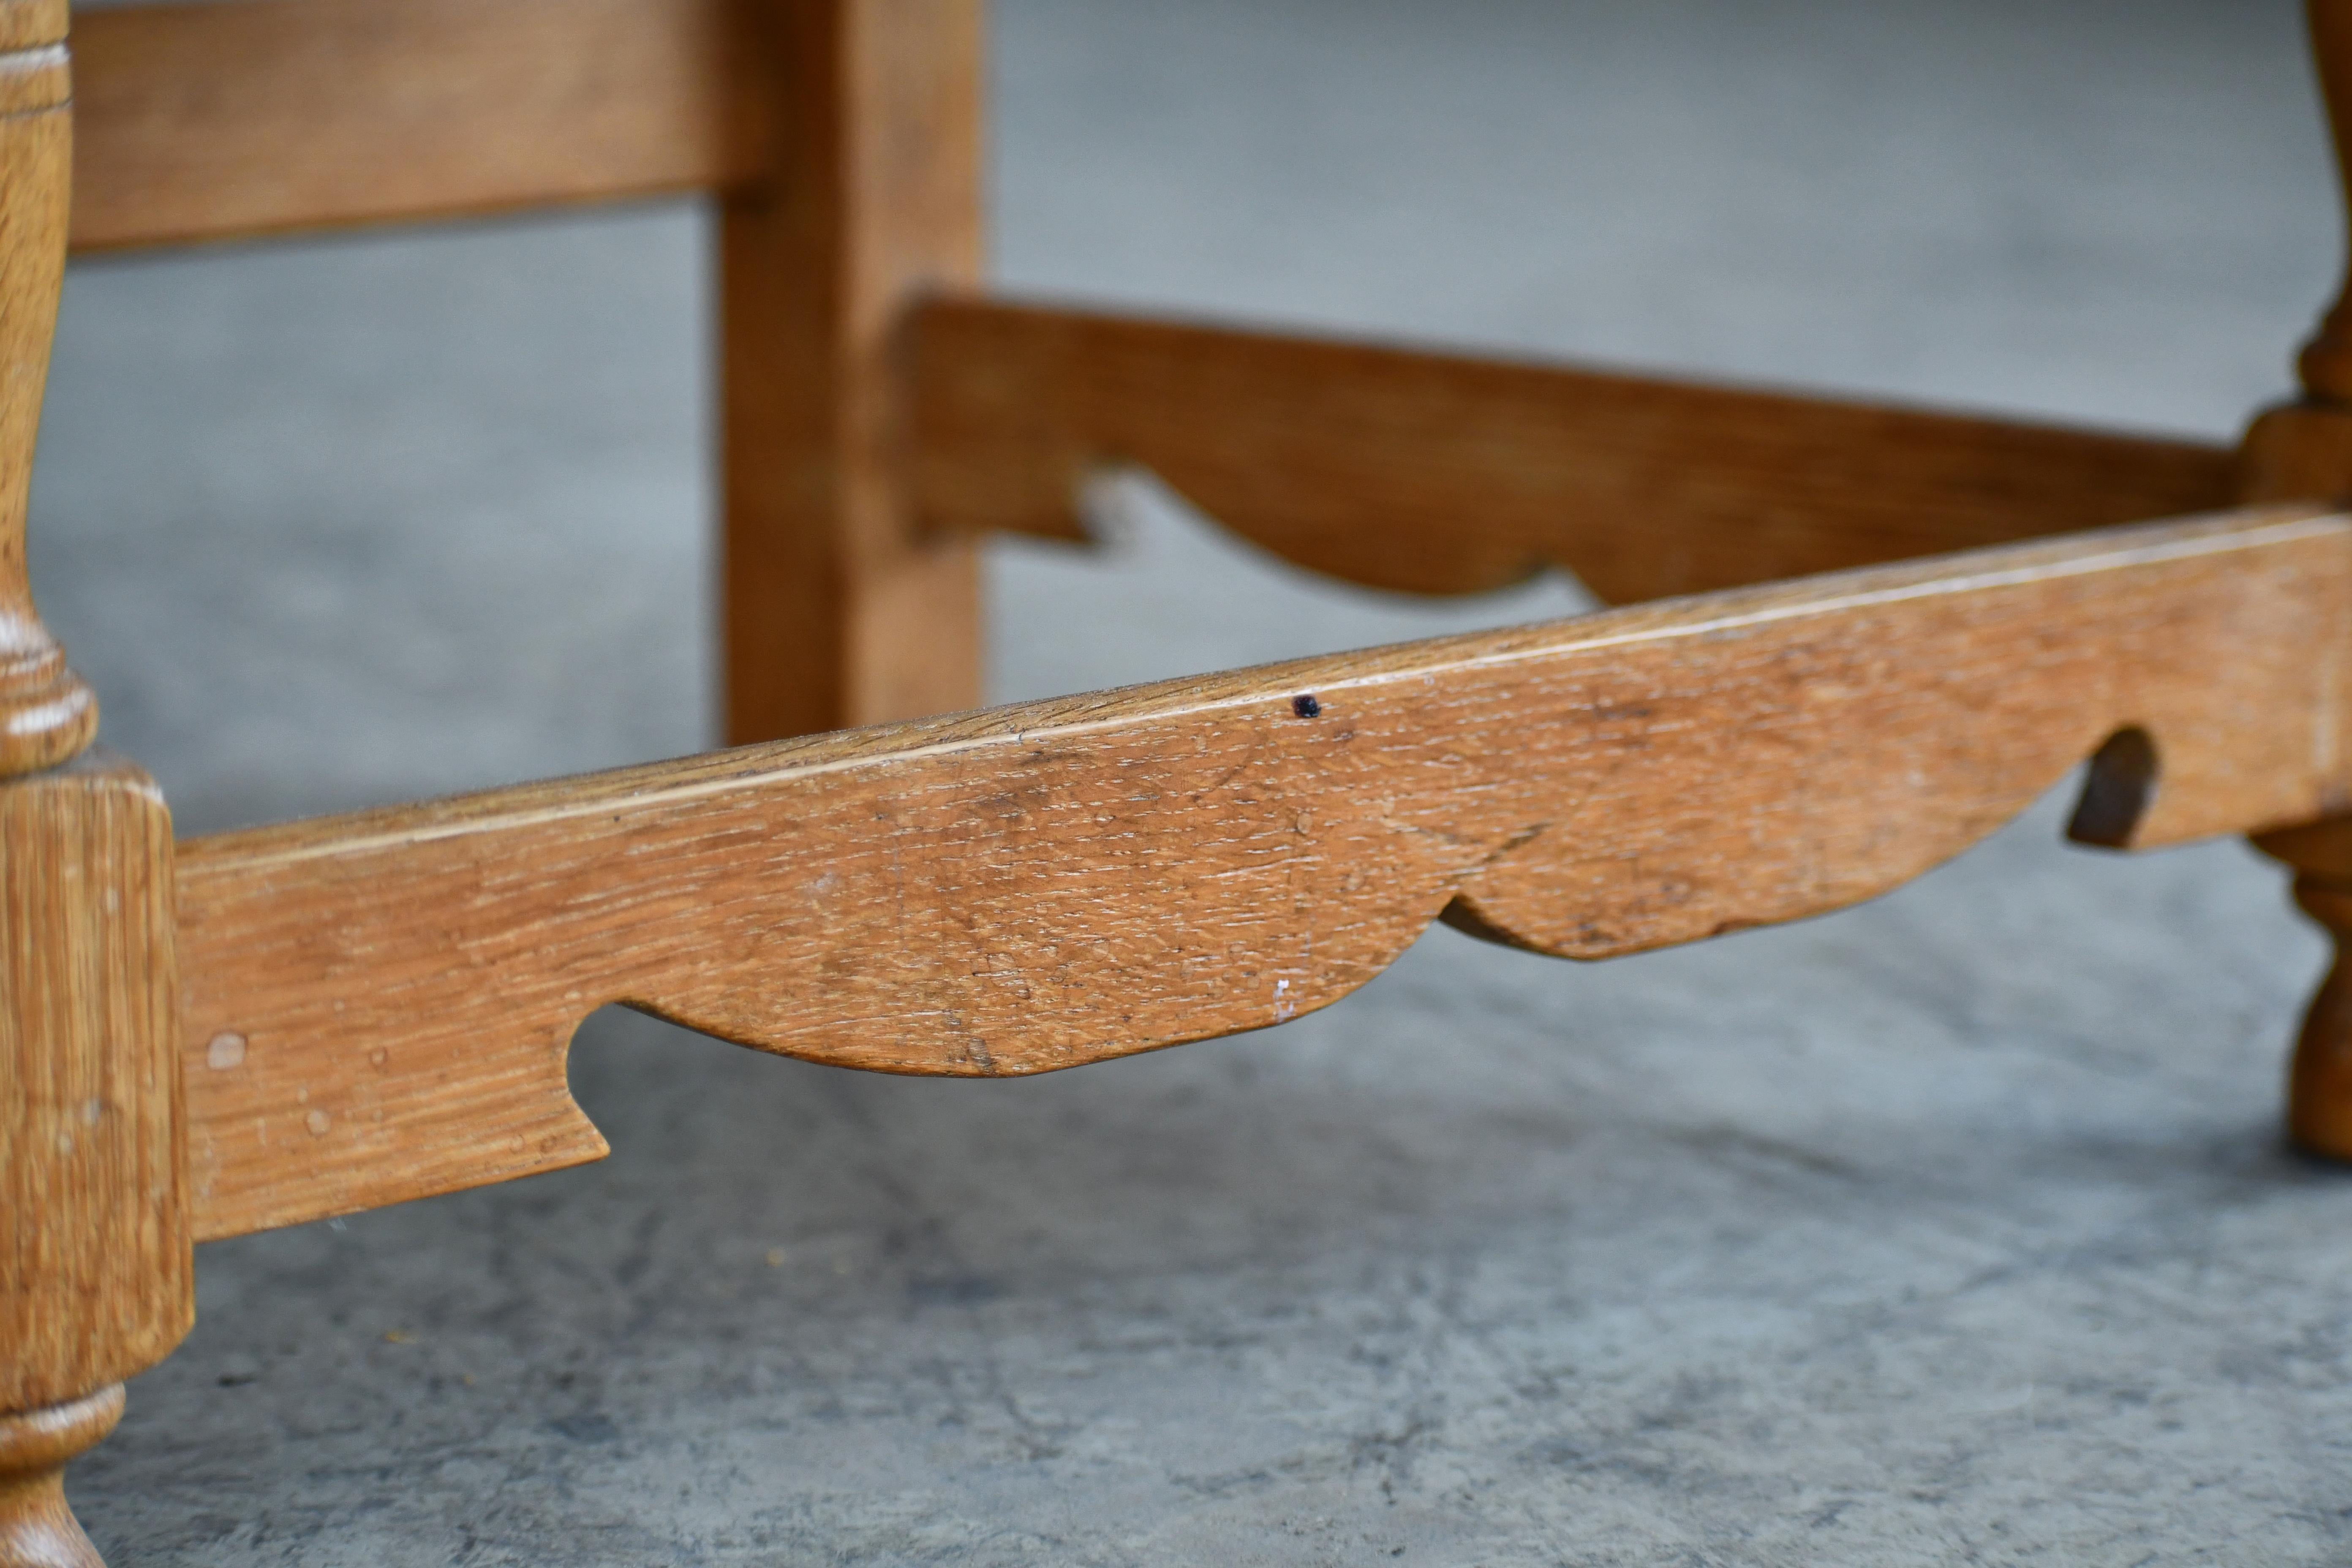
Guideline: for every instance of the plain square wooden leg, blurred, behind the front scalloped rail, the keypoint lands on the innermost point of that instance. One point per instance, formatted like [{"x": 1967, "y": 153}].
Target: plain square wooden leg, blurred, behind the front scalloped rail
[{"x": 836, "y": 612}]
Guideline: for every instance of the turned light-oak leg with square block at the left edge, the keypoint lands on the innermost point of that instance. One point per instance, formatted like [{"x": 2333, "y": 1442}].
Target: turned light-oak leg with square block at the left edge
[{"x": 95, "y": 1264}]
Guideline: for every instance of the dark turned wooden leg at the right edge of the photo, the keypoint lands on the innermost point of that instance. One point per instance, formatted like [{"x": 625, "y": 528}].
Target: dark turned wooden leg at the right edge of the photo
[{"x": 2297, "y": 453}]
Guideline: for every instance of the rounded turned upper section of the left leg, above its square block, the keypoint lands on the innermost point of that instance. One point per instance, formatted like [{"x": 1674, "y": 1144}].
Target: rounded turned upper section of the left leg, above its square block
[{"x": 46, "y": 711}]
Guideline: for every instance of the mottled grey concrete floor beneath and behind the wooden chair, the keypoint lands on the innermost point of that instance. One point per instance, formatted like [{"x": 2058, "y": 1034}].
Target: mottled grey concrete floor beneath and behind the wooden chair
[{"x": 1953, "y": 1228}]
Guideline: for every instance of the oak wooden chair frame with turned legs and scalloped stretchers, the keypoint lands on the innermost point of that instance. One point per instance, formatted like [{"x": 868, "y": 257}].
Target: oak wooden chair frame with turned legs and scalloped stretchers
[{"x": 276, "y": 1026}]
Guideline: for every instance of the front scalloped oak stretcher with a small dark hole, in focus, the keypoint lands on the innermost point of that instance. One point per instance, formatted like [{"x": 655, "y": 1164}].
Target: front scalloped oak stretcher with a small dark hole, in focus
[{"x": 377, "y": 1007}]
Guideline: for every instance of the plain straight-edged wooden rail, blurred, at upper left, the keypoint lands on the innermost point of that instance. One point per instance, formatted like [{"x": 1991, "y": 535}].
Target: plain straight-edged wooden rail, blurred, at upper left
[{"x": 265, "y": 116}]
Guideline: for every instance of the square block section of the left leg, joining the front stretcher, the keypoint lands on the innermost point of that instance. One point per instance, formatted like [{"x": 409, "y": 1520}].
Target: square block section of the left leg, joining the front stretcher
[{"x": 95, "y": 1268}]
